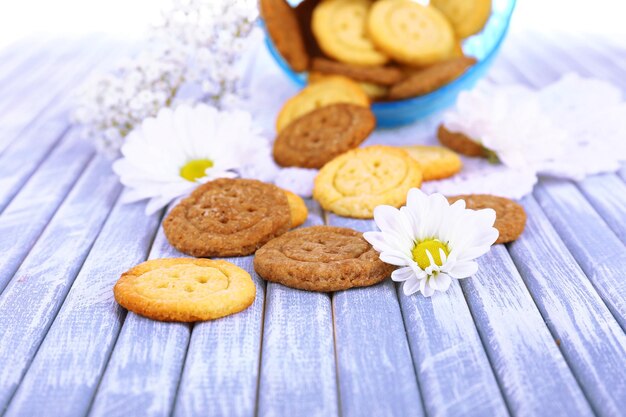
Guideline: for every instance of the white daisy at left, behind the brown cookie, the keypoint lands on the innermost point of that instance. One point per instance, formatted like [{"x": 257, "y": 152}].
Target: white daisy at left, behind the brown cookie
[{"x": 167, "y": 156}]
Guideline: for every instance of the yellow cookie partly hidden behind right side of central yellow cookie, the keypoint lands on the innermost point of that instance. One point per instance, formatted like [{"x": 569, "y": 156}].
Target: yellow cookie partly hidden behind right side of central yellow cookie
[{"x": 437, "y": 162}]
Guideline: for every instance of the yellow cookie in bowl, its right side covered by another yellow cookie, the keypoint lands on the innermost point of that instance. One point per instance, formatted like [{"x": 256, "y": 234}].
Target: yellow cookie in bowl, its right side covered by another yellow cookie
[{"x": 339, "y": 26}]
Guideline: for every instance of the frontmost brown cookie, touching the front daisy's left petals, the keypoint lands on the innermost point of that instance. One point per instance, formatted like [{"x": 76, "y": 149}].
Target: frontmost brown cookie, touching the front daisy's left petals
[{"x": 321, "y": 258}]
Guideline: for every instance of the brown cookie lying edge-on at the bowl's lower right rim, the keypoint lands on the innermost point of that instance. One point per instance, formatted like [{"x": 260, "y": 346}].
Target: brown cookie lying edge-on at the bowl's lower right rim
[{"x": 430, "y": 78}]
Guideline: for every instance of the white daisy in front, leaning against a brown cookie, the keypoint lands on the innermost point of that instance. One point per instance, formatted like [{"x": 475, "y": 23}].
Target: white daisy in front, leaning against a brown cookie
[{"x": 431, "y": 240}]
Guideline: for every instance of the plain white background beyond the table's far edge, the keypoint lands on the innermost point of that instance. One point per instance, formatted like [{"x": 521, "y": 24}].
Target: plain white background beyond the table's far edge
[{"x": 130, "y": 19}]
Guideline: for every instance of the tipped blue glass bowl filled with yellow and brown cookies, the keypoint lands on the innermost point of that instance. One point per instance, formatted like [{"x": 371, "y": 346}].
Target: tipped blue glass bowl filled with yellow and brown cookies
[{"x": 397, "y": 51}]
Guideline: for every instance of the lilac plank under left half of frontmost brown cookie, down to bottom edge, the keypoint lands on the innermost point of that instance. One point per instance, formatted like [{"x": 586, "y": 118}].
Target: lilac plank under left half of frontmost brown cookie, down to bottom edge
[{"x": 298, "y": 374}]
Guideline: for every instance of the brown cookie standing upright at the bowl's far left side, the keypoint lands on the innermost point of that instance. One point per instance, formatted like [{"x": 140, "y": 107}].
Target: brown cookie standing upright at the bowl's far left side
[{"x": 284, "y": 29}]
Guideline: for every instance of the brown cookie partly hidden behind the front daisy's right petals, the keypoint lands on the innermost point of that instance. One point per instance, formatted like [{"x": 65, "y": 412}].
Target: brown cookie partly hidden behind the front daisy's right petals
[{"x": 510, "y": 216}]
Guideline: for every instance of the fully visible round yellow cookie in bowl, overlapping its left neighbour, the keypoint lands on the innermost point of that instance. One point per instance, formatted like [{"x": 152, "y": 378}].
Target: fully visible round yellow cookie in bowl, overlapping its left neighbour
[{"x": 409, "y": 32}]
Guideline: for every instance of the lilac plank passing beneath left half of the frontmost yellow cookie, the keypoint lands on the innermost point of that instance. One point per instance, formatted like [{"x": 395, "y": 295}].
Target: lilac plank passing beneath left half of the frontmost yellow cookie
[{"x": 144, "y": 370}]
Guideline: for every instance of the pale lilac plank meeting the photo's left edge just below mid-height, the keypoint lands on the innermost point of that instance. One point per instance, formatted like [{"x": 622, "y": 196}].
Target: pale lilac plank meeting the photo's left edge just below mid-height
[{"x": 23, "y": 221}]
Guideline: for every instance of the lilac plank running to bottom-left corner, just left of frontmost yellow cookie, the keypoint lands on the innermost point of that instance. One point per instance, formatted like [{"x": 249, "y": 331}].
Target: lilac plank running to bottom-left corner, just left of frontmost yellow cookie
[{"x": 69, "y": 363}]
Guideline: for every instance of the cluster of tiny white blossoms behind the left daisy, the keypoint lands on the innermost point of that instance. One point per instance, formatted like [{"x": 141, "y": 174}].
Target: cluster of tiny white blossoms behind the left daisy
[{"x": 193, "y": 56}]
